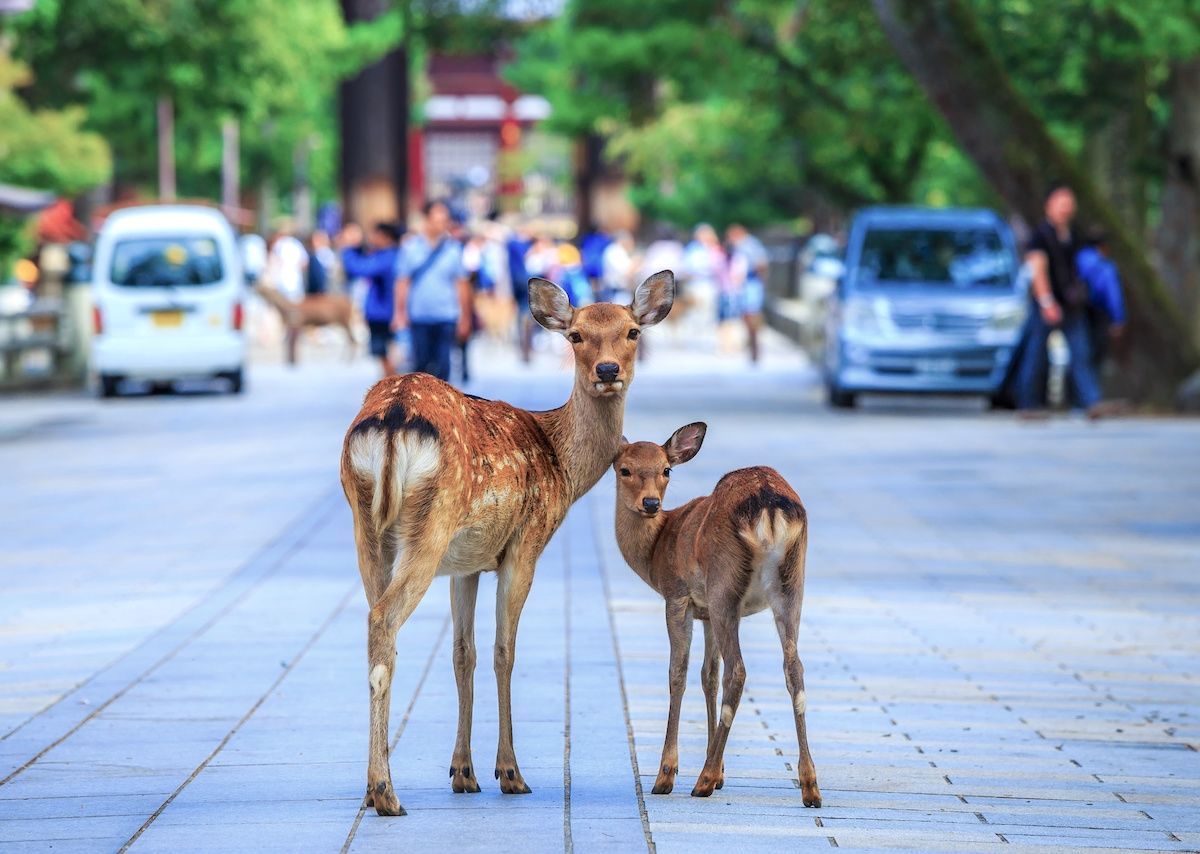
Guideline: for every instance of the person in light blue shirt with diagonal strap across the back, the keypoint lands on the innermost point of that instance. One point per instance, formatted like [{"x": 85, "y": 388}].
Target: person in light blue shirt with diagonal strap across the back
[{"x": 433, "y": 293}]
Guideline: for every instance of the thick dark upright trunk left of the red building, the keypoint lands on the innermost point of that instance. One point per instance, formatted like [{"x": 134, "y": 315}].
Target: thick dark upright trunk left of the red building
[{"x": 374, "y": 110}]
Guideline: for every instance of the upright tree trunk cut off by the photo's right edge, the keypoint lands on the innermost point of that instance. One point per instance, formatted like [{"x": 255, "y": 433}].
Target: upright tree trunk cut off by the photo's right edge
[{"x": 1179, "y": 234}]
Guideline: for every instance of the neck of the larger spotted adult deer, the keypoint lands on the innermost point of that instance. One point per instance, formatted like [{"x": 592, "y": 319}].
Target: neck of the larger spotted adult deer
[{"x": 586, "y": 435}]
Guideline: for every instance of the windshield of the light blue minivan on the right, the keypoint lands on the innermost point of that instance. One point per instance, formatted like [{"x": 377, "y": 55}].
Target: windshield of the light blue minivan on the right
[{"x": 957, "y": 257}]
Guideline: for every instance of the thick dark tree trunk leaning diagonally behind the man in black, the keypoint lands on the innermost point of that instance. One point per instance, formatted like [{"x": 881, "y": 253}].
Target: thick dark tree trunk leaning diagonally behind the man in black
[{"x": 944, "y": 49}]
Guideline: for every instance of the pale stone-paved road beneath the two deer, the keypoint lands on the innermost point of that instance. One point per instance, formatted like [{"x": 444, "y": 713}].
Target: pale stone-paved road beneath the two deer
[{"x": 1000, "y": 635}]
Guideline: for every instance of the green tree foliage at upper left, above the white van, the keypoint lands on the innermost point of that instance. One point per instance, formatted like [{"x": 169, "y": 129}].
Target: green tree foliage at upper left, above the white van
[{"x": 273, "y": 65}]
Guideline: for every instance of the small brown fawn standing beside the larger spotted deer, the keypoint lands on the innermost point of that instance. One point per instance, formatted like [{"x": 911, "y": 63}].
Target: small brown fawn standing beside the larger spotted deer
[{"x": 716, "y": 560}]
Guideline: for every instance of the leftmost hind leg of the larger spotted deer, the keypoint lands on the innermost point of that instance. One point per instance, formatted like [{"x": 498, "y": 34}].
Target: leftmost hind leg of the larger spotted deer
[{"x": 410, "y": 581}]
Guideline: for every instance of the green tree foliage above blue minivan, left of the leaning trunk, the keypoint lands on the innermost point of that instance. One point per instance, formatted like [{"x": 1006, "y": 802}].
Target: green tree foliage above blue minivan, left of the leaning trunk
[{"x": 743, "y": 111}]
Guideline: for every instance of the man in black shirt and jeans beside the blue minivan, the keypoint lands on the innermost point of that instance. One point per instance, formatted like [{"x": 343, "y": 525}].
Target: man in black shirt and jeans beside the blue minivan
[{"x": 1060, "y": 302}]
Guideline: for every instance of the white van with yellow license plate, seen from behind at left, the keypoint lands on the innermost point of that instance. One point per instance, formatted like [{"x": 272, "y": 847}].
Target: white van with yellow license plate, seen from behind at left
[{"x": 169, "y": 291}]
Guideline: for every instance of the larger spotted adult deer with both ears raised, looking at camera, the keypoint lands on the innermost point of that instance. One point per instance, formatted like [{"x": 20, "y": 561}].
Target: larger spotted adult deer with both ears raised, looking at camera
[{"x": 445, "y": 484}]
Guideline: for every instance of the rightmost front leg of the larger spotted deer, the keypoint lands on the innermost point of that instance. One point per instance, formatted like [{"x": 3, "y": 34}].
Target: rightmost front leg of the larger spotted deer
[{"x": 513, "y": 588}]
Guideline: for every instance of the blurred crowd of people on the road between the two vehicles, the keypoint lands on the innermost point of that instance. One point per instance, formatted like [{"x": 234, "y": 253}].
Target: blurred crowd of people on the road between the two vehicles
[{"x": 427, "y": 292}]
